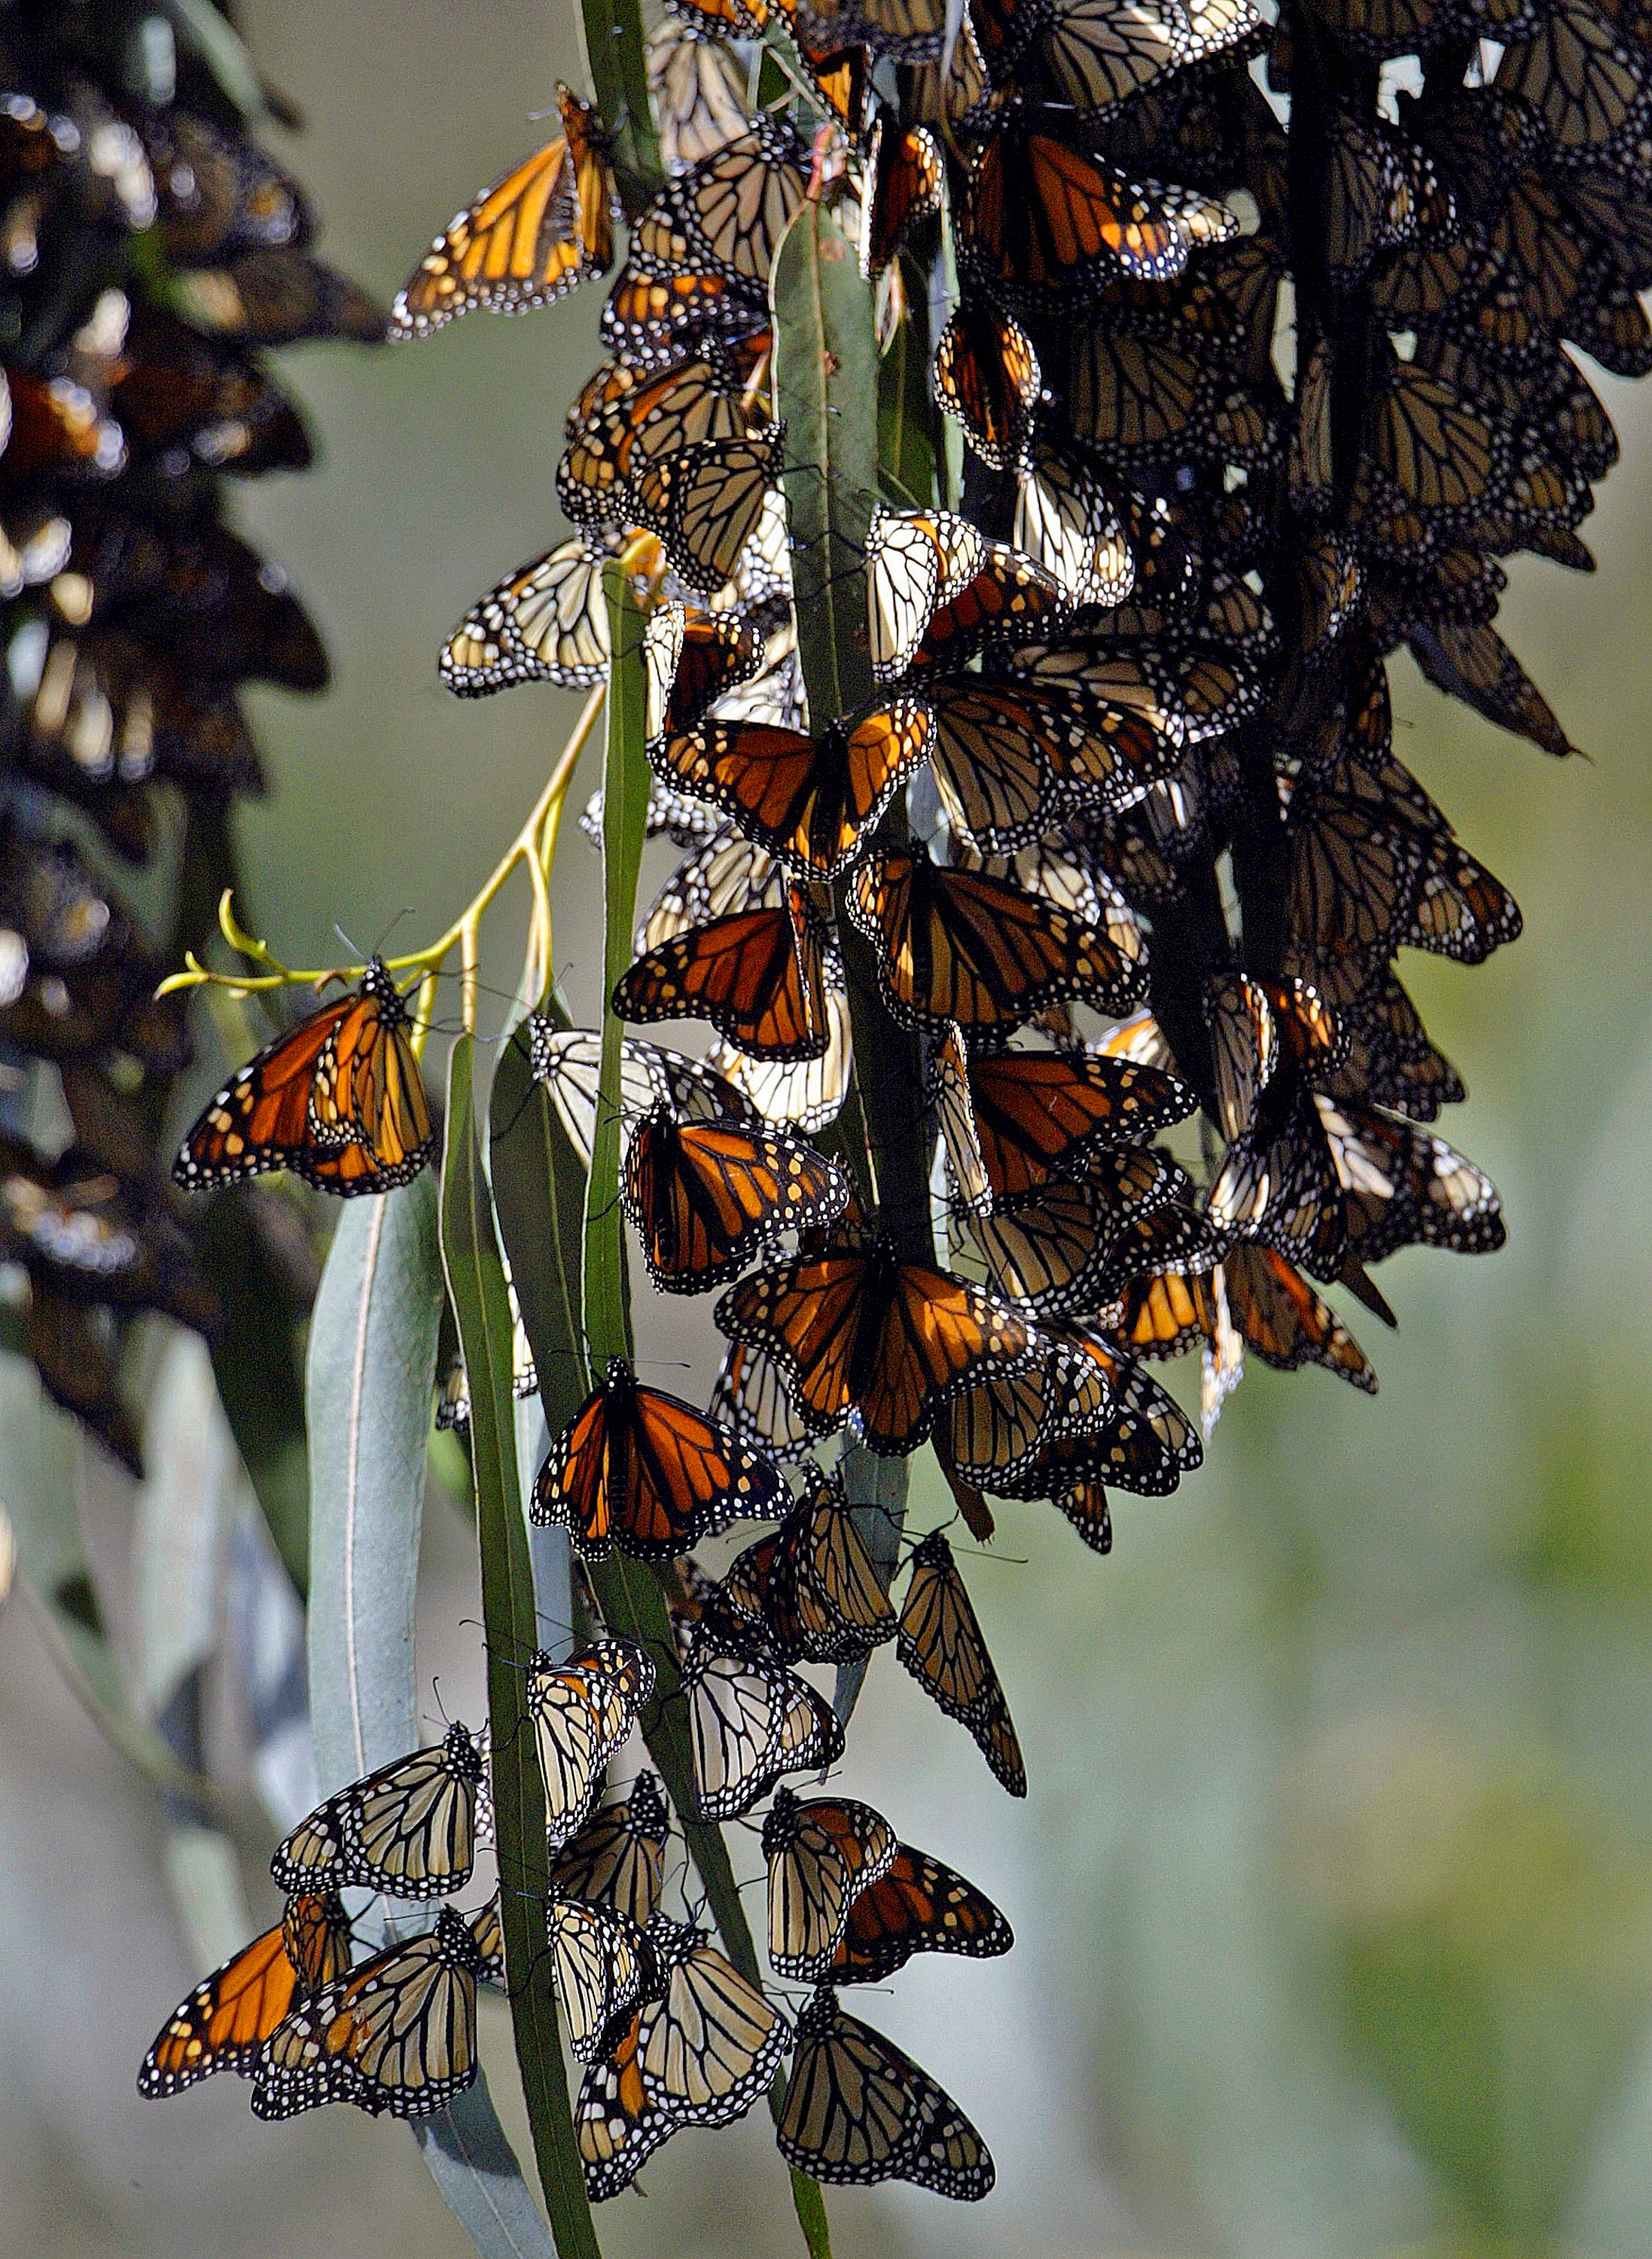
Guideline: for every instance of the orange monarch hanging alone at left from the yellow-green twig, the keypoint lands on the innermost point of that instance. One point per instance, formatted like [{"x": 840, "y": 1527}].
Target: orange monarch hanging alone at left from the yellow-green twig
[{"x": 338, "y": 1101}]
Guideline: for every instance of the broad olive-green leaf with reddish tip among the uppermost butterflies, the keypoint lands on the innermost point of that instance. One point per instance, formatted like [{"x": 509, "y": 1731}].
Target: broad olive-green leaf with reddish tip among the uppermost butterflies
[{"x": 826, "y": 383}]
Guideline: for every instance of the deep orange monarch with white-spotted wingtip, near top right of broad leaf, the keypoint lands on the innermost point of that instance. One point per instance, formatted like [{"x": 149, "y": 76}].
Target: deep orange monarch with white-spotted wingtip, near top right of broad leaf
[{"x": 1047, "y": 220}]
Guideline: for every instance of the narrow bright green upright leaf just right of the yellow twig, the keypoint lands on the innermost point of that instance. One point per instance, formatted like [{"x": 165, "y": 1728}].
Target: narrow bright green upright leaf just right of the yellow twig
[{"x": 625, "y": 828}]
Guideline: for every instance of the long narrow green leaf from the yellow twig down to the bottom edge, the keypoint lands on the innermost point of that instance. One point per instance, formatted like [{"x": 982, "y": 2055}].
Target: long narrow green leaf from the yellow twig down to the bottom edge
[{"x": 482, "y": 1309}]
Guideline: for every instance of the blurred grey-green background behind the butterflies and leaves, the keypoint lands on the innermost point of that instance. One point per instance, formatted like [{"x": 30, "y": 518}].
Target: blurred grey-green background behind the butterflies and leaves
[{"x": 1334, "y": 1883}]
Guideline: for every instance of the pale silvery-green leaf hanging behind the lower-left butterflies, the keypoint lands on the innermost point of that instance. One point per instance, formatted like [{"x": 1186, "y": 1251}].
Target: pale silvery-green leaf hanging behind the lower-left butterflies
[{"x": 372, "y": 1372}]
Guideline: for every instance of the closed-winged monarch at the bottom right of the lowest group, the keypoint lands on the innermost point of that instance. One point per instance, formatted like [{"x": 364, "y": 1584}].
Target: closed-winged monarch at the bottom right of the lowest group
[{"x": 860, "y": 2111}]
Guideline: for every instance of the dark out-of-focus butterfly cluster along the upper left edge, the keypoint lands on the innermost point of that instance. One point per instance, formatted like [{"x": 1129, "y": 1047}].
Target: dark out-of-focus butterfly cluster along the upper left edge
[{"x": 148, "y": 254}]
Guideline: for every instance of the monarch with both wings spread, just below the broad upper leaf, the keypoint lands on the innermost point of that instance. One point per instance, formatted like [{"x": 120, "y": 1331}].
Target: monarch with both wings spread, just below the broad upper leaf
[{"x": 806, "y": 801}]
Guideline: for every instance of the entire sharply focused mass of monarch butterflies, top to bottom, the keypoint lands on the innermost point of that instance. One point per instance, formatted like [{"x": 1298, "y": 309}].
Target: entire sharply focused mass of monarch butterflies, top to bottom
[{"x": 1255, "y": 338}]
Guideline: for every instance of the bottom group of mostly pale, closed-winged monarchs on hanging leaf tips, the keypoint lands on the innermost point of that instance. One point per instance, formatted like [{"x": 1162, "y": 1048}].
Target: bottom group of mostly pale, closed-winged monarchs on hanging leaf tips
[{"x": 668, "y": 2030}]
